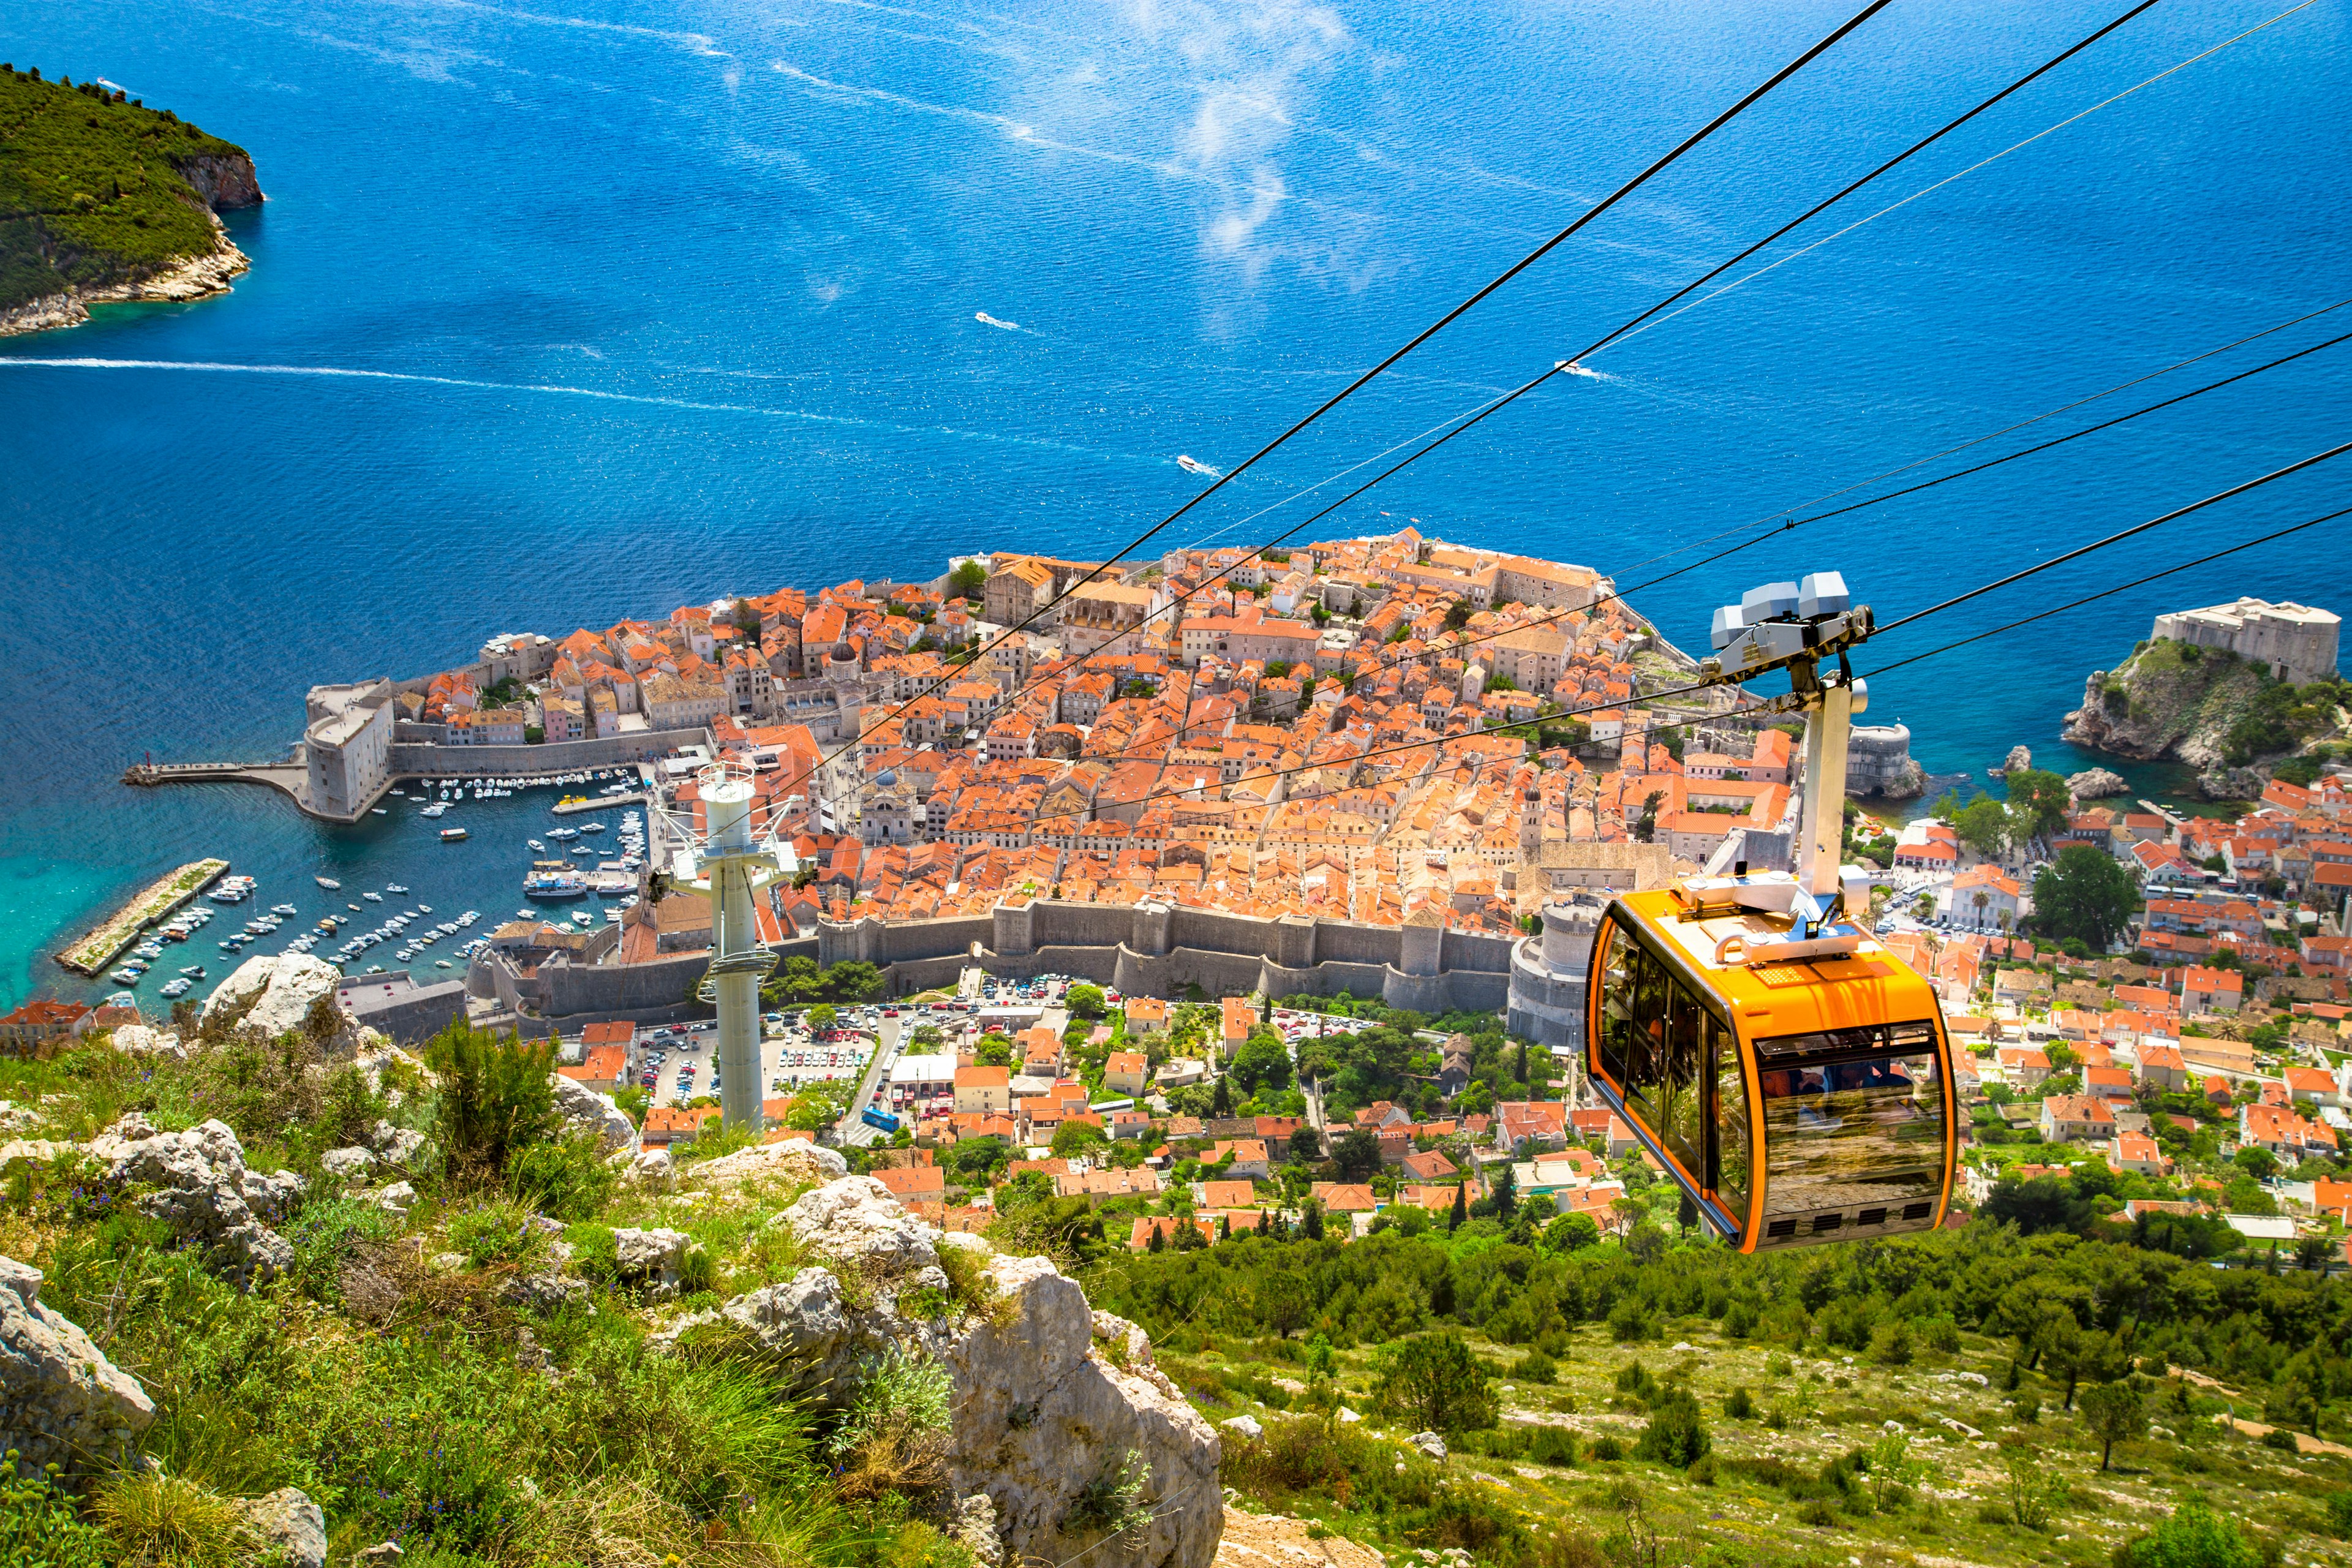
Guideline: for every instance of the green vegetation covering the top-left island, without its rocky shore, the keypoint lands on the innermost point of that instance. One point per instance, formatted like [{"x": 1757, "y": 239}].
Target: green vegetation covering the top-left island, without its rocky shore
[{"x": 93, "y": 189}]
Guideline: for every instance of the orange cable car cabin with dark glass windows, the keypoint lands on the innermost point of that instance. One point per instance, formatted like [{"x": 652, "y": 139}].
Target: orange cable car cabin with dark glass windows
[{"x": 1793, "y": 1099}]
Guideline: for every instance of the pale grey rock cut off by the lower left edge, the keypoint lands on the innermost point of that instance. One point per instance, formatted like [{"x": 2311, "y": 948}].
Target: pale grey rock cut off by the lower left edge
[{"x": 62, "y": 1402}]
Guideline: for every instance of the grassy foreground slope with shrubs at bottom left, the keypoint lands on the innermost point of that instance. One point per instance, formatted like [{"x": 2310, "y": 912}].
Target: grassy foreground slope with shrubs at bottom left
[{"x": 396, "y": 1374}]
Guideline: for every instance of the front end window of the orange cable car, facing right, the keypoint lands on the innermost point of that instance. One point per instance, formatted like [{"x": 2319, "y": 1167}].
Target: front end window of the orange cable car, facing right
[{"x": 1852, "y": 1118}]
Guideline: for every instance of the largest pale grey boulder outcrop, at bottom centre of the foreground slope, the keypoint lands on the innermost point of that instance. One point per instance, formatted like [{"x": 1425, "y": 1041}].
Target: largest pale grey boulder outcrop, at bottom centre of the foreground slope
[{"x": 1053, "y": 1400}]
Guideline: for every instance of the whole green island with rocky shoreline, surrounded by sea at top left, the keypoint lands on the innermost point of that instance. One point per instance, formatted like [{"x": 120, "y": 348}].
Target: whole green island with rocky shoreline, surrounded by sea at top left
[{"x": 109, "y": 201}]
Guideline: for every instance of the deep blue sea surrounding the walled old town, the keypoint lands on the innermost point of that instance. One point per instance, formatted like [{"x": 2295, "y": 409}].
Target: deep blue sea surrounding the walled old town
[{"x": 580, "y": 309}]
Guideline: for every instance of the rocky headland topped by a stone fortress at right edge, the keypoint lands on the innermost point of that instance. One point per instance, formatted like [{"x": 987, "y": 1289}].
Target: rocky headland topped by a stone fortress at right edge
[{"x": 2240, "y": 692}]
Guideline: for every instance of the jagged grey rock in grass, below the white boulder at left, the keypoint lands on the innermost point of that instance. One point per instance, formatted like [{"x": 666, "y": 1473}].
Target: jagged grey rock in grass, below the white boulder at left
[{"x": 203, "y": 1193}]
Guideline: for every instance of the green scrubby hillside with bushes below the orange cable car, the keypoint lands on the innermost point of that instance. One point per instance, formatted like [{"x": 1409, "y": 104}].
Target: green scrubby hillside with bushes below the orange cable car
[{"x": 1669, "y": 1405}]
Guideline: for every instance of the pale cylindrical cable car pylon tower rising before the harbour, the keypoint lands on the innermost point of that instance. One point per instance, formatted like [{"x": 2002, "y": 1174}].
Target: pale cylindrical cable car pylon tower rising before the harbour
[{"x": 728, "y": 864}]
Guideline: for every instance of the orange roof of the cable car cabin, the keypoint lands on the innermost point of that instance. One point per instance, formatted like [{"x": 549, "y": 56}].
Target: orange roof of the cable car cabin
[{"x": 1791, "y": 996}]
